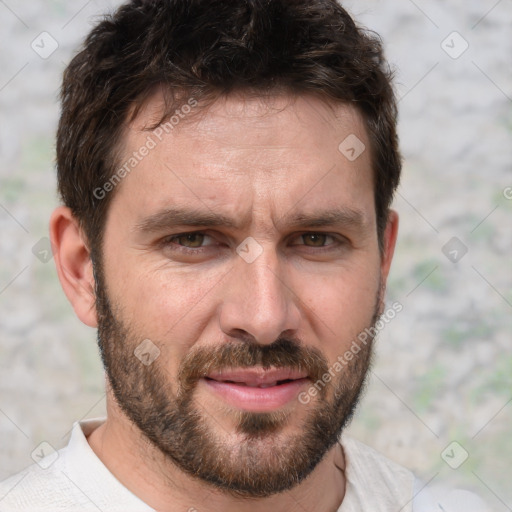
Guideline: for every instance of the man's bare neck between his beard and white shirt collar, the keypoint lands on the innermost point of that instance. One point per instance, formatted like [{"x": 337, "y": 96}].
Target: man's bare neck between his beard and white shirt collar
[{"x": 157, "y": 481}]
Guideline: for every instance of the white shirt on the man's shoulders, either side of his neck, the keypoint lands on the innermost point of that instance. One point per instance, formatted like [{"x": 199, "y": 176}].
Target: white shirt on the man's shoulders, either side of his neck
[{"x": 74, "y": 479}]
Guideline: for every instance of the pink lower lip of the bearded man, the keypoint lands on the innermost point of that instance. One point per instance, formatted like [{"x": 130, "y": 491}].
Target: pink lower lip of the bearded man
[{"x": 257, "y": 399}]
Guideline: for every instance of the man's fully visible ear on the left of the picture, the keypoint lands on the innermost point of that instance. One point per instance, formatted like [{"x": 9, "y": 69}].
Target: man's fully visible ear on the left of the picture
[{"x": 74, "y": 265}]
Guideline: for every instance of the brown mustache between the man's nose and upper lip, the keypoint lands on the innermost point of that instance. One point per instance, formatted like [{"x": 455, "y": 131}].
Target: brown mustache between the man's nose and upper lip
[{"x": 282, "y": 353}]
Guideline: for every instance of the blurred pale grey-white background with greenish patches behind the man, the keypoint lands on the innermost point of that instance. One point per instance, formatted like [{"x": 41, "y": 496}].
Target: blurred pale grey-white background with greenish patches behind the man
[{"x": 440, "y": 395}]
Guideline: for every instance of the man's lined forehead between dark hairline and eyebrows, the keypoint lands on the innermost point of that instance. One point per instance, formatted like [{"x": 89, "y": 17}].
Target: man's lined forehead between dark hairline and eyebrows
[{"x": 243, "y": 153}]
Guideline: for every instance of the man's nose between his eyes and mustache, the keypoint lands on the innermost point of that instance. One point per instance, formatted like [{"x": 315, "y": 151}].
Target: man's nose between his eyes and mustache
[{"x": 257, "y": 301}]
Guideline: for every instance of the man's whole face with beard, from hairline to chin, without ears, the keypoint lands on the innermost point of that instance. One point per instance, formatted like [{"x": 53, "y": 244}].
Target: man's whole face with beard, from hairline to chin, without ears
[{"x": 244, "y": 314}]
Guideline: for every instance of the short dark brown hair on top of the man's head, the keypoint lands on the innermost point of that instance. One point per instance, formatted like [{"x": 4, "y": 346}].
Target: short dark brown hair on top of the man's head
[{"x": 208, "y": 47}]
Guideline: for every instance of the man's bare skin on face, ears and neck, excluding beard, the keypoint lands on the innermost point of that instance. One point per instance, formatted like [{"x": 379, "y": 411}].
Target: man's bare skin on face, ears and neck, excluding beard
[{"x": 257, "y": 162}]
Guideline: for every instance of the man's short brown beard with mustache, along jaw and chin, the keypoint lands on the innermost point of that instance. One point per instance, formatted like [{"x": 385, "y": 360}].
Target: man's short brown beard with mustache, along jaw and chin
[{"x": 256, "y": 459}]
